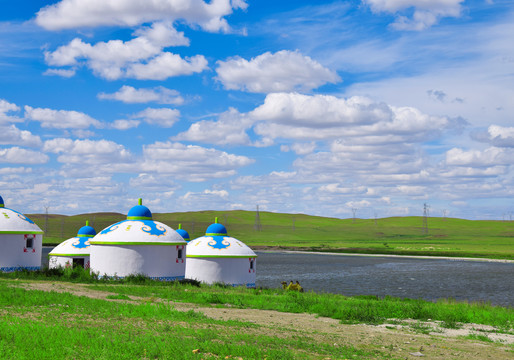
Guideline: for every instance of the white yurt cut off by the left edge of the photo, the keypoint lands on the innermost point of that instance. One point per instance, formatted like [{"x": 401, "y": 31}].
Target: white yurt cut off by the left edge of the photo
[{"x": 21, "y": 241}]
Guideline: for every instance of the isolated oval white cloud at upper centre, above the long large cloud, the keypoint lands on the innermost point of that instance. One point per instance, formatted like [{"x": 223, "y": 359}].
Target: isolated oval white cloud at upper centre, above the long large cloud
[{"x": 282, "y": 71}]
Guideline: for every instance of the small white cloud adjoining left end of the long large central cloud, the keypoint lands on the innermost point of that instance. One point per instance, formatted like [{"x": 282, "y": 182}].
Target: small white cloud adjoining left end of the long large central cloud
[{"x": 229, "y": 129}]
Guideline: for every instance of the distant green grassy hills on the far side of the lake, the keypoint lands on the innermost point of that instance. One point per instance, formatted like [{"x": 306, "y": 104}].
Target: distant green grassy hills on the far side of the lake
[{"x": 394, "y": 235}]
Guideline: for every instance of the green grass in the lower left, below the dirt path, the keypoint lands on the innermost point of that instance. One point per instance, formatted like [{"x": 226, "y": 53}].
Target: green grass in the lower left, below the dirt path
[{"x": 49, "y": 325}]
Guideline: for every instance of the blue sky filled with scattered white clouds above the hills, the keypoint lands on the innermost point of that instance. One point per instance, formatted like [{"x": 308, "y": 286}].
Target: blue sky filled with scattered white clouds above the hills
[{"x": 316, "y": 107}]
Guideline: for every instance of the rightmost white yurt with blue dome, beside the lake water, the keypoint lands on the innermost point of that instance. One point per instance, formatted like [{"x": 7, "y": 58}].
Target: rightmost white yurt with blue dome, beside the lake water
[{"x": 219, "y": 258}]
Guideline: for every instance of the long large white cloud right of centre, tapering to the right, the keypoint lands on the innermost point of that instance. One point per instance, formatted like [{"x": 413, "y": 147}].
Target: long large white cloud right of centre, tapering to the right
[{"x": 324, "y": 117}]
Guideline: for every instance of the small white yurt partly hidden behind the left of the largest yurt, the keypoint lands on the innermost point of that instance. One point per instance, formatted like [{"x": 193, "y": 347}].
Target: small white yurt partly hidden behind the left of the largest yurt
[{"x": 74, "y": 251}]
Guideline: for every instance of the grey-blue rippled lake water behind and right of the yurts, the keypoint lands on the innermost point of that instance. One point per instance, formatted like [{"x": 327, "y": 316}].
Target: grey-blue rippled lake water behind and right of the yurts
[{"x": 429, "y": 279}]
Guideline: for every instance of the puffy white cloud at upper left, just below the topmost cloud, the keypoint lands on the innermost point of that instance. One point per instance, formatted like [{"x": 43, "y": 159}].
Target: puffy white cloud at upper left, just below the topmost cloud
[{"x": 140, "y": 58}]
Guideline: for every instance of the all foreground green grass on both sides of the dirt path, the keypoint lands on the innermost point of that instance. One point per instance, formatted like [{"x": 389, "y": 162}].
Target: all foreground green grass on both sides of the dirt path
[{"x": 140, "y": 321}]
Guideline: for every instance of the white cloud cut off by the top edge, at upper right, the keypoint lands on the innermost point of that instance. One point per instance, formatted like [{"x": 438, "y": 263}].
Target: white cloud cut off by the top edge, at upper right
[{"x": 426, "y": 12}]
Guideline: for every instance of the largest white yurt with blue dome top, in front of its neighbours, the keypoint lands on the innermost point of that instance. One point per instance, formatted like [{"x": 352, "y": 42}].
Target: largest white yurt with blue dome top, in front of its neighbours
[{"x": 139, "y": 245}]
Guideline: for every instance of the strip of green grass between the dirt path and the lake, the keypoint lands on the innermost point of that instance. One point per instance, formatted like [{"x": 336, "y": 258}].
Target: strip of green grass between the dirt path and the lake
[{"x": 356, "y": 309}]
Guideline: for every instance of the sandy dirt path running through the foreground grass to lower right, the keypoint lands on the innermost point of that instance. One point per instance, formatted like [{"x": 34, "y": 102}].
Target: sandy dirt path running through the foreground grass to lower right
[{"x": 407, "y": 341}]
